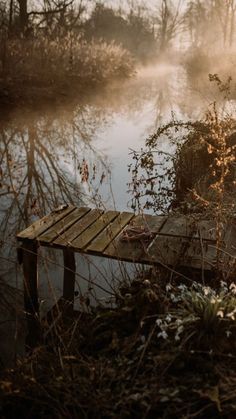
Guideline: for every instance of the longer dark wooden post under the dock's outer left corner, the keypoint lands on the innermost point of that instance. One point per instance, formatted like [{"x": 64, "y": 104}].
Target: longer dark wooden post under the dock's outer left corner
[{"x": 31, "y": 302}]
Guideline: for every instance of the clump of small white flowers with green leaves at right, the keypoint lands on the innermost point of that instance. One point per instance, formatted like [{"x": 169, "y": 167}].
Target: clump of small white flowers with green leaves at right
[{"x": 200, "y": 316}]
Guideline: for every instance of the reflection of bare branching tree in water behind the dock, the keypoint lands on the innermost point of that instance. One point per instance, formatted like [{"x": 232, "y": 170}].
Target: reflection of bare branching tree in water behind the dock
[{"x": 40, "y": 165}]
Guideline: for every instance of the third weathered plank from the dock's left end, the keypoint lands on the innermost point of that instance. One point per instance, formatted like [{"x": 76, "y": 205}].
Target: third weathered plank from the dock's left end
[{"x": 78, "y": 228}]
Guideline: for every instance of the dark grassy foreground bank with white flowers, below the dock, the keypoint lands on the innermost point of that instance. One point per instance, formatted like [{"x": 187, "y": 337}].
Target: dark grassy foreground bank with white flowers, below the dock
[{"x": 119, "y": 363}]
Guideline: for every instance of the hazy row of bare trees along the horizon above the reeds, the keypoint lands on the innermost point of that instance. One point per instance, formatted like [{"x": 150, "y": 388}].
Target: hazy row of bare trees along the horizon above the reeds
[{"x": 137, "y": 27}]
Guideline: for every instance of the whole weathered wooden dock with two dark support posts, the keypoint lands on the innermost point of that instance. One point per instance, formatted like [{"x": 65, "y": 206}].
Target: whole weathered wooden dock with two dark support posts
[{"x": 171, "y": 241}]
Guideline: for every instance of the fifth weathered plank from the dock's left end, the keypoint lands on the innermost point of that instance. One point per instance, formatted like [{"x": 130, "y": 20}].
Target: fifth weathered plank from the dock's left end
[{"x": 104, "y": 239}]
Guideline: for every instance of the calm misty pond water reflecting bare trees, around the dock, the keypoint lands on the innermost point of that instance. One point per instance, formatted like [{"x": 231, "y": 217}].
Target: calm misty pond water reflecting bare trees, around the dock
[{"x": 43, "y": 157}]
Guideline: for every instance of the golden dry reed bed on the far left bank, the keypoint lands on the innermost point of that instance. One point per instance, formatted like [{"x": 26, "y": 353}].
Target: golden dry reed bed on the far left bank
[{"x": 60, "y": 65}]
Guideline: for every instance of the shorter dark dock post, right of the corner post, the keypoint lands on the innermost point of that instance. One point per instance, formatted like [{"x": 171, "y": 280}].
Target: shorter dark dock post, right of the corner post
[{"x": 69, "y": 278}]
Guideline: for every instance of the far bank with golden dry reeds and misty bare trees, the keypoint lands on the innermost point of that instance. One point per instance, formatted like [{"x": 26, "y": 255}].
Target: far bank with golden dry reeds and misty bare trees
[{"x": 60, "y": 44}]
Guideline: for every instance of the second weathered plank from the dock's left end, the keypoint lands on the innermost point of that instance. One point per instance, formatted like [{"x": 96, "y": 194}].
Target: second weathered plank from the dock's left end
[{"x": 61, "y": 226}]
